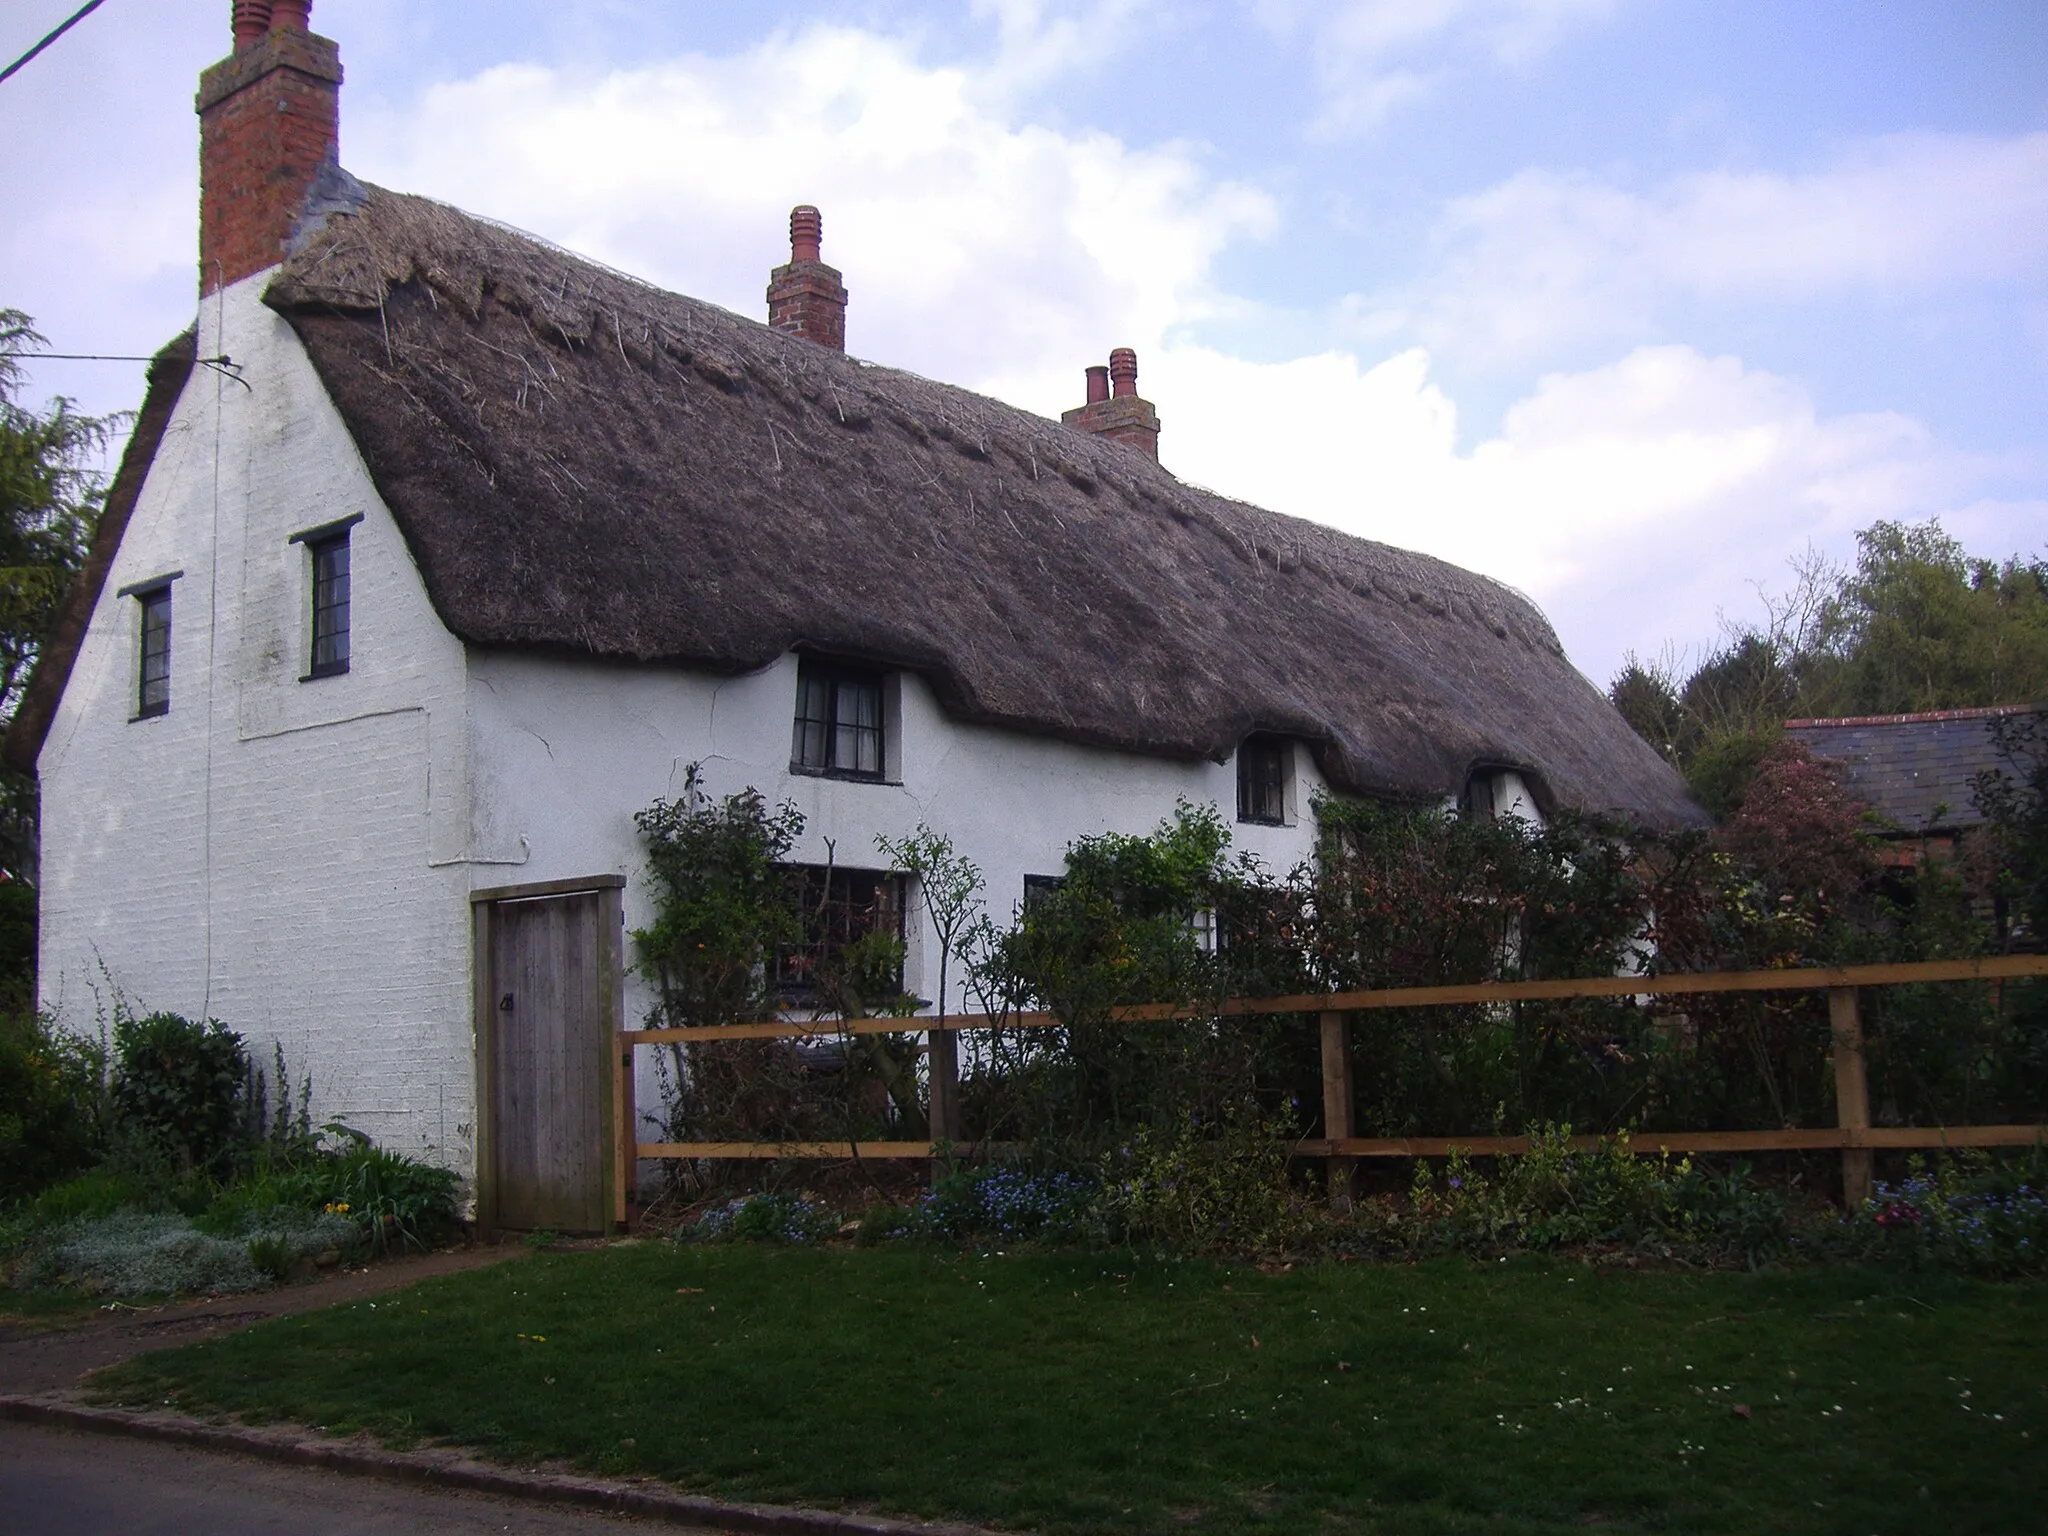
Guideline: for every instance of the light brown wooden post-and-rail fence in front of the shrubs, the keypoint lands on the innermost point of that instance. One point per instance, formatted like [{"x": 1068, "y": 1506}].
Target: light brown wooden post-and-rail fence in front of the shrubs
[{"x": 1852, "y": 1134}]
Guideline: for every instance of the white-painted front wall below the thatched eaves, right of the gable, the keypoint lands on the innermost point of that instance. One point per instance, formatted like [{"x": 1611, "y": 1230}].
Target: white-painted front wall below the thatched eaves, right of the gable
[{"x": 564, "y": 755}]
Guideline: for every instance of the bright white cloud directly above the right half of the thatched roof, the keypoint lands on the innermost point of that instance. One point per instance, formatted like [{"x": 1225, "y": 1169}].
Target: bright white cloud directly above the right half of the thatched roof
[{"x": 1633, "y": 501}]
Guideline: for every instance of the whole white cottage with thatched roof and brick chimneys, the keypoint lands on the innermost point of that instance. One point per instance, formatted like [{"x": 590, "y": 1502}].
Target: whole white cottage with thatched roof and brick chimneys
[{"x": 439, "y": 552}]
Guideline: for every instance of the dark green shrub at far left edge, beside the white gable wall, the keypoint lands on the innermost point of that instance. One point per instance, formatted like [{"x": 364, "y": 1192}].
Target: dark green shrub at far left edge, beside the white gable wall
[{"x": 50, "y": 1103}]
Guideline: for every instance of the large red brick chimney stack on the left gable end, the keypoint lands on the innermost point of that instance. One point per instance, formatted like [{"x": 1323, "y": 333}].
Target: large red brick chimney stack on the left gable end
[{"x": 269, "y": 126}]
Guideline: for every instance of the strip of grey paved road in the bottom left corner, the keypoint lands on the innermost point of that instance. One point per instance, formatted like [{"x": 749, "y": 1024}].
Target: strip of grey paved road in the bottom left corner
[{"x": 60, "y": 1484}]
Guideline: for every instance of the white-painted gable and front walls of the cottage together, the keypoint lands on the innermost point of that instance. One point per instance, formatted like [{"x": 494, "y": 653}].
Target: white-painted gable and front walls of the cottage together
[{"x": 296, "y": 859}]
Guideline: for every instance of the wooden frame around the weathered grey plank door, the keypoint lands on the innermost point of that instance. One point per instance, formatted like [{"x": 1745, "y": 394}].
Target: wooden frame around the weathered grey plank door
[{"x": 611, "y": 1011}]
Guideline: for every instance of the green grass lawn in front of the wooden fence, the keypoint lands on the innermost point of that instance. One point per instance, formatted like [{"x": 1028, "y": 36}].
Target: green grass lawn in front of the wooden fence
[{"x": 1105, "y": 1394}]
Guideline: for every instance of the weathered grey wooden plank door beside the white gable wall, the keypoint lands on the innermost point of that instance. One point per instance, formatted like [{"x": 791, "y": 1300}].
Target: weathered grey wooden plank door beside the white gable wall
[{"x": 548, "y": 990}]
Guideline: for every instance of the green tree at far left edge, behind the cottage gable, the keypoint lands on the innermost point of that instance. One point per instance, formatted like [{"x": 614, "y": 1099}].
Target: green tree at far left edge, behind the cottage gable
[{"x": 50, "y": 501}]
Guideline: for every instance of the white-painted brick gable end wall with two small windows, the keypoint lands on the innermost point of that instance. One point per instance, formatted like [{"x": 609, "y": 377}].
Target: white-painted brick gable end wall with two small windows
[{"x": 273, "y": 853}]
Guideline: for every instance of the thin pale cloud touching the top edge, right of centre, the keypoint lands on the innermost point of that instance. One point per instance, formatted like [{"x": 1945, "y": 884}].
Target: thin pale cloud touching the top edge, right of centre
[{"x": 1373, "y": 56}]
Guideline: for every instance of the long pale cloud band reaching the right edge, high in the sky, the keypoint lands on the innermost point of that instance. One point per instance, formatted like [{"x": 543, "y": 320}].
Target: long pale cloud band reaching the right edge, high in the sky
[{"x": 1549, "y": 257}]
